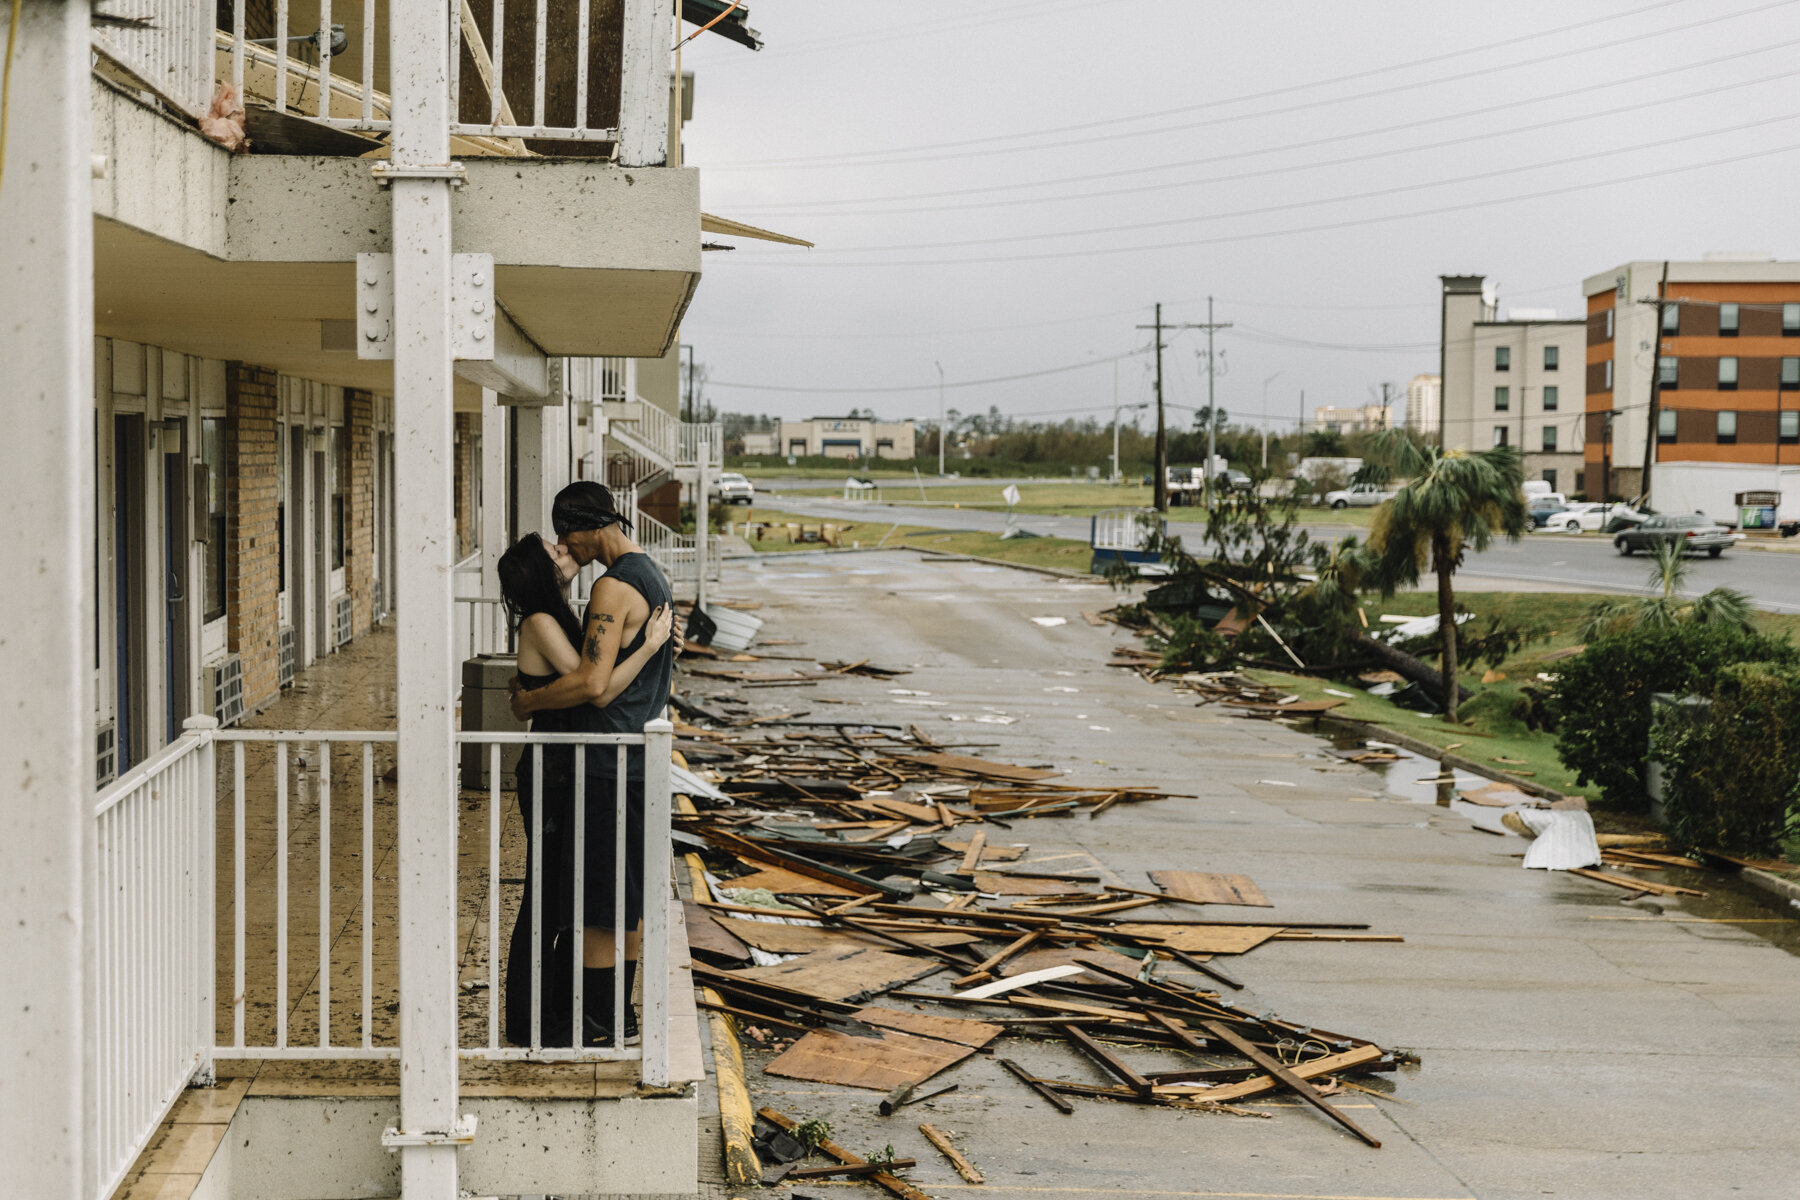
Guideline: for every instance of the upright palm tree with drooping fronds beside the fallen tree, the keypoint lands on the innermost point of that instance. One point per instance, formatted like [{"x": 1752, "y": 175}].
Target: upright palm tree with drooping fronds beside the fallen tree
[{"x": 1453, "y": 499}]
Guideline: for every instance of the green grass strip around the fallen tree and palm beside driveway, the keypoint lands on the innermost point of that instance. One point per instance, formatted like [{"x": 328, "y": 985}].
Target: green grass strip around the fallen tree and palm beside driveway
[{"x": 1491, "y": 731}]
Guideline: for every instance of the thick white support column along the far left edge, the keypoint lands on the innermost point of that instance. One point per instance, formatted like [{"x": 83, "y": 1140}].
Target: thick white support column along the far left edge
[{"x": 48, "y": 1098}]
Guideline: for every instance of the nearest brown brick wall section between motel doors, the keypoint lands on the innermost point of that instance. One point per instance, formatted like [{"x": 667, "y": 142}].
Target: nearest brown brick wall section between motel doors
[{"x": 253, "y": 553}]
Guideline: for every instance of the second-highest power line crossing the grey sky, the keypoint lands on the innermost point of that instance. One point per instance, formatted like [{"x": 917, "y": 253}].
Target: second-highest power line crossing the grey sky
[{"x": 1786, "y": 76}]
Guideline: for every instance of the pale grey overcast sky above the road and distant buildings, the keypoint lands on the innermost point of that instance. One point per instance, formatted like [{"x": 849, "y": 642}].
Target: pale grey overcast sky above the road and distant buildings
[{"x": 1009, "y": 188}]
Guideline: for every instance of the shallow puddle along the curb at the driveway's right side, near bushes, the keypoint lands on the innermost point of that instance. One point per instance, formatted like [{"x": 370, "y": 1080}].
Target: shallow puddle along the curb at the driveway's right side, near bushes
[{"x": 1731, "y": 902}]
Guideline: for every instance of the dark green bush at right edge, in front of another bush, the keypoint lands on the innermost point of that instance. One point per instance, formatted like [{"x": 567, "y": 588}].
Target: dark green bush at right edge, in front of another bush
[{"x": 1732, "y": 778}]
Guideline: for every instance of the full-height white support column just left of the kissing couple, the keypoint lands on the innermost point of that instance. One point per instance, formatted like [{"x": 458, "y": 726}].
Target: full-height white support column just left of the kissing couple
[{"x": 426, "y": 661}]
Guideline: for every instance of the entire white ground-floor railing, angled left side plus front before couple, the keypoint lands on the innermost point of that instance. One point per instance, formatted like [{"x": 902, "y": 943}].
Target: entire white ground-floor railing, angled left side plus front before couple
[{"x": 310, "y": 942}]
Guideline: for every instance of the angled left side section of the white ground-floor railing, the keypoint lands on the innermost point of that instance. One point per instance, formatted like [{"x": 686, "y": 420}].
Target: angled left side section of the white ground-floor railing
[{"x": 154, "y": 945}]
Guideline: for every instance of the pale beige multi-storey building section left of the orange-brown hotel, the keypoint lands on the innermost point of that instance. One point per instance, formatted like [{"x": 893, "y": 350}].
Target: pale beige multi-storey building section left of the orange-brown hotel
[{"x": 1515, "y": 382}]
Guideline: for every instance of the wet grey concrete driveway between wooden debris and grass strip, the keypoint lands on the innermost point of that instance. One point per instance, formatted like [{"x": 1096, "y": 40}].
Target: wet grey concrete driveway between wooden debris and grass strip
[{"x": 1570, "y": 1044}]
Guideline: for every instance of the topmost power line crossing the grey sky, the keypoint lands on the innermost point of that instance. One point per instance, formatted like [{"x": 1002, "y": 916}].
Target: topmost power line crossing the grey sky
[{"x": 867, "y": 159}]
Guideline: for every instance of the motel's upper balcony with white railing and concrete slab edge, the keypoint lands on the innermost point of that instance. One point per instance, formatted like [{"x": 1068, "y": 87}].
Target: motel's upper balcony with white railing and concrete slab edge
[{"x": 561, "y": 129}]
